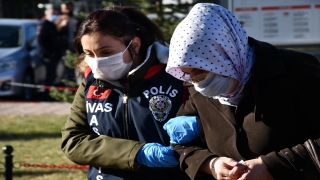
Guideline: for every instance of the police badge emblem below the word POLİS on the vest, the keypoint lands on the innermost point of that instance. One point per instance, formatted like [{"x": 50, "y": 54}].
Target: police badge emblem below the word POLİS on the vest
[{"x": 160, "y": 107}]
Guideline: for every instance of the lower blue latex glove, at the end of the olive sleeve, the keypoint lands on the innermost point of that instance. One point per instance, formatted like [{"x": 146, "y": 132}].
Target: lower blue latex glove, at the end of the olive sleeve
[{"x": 157, "y": 155}]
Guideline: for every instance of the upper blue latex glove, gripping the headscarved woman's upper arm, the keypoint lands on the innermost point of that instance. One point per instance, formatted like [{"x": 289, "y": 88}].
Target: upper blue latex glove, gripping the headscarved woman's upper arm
[{"x": 182, "y": 129}]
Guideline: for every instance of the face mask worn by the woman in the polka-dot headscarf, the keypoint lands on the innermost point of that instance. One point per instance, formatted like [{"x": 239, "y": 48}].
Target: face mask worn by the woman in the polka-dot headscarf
[{"x": 214, "y": 85}]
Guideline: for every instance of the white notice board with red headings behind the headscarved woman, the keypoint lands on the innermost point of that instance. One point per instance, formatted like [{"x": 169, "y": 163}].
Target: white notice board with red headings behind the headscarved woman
[{"x": 280, "y": 22}]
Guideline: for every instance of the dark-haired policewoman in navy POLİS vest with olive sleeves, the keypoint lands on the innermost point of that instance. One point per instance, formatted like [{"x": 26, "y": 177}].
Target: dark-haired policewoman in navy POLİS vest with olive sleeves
[{"x": 116, "y": 119}]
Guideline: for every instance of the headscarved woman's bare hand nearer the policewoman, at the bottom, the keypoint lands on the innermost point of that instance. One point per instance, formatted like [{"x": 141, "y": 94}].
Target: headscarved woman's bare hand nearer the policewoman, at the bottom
[{"x": 227, "y": 168}]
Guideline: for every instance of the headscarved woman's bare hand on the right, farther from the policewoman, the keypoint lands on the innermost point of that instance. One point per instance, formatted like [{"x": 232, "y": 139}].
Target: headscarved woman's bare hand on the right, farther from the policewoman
[{"x": 256, "y": 171}]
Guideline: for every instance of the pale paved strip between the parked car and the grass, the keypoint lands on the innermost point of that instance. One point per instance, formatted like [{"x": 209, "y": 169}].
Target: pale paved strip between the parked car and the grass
[{"x": 33, "y": 108}]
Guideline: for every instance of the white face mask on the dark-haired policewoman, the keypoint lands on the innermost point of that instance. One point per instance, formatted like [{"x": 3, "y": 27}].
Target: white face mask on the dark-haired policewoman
[{"x": 109, "y": 68}]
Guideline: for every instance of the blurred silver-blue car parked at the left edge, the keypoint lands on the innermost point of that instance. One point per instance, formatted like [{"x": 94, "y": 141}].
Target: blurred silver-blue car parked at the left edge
[{"x": 17, "y": 49}]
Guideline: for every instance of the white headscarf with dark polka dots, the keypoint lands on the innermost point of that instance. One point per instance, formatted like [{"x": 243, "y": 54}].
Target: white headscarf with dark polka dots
[{"x": 211, "y": 38}]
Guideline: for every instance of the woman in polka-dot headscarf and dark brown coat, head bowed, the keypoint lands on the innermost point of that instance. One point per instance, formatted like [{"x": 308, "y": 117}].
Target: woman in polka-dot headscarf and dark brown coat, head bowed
[{"x": 248, "y": 101}]
